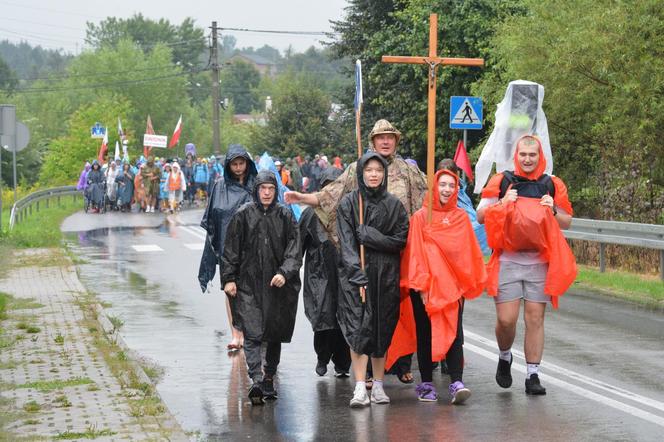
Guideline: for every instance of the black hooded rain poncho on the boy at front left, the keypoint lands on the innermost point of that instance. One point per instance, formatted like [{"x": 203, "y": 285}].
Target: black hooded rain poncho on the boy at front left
[{"x": 259, "y": 244}]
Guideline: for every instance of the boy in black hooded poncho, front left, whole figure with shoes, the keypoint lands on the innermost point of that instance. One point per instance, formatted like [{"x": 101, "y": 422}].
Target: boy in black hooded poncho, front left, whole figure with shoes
[{"x": 261, "y": 269}]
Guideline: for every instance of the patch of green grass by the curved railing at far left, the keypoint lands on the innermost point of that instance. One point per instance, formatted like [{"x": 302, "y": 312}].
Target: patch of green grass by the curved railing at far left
[{"x": 41, "y": 229}]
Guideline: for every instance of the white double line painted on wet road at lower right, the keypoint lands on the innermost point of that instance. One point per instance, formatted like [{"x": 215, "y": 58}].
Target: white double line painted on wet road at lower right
[{"x": 576, "y": 389}]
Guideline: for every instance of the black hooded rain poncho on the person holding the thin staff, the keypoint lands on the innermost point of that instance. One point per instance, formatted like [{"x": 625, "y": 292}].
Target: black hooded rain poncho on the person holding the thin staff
[{"x": 368, "y": 327}]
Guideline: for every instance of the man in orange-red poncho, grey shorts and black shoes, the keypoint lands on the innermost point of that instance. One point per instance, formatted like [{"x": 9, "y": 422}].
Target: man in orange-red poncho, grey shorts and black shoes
[{"x": 523, "y": 212}]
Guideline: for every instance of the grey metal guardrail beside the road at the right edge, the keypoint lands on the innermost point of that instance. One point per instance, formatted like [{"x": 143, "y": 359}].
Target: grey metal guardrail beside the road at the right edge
[{"x": 650, "y": 236}]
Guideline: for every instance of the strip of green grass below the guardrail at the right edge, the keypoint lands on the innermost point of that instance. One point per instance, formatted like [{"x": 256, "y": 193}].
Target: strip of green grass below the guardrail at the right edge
[{"x": 643, "y": 289}]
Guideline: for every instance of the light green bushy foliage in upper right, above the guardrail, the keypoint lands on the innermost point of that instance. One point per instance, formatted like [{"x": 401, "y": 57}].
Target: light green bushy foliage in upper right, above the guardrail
[{"x": 602, "y": 68}]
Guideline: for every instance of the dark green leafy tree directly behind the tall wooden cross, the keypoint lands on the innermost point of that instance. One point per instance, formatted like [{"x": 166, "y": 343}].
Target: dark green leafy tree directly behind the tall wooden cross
[{"x": 371, "y": 29}]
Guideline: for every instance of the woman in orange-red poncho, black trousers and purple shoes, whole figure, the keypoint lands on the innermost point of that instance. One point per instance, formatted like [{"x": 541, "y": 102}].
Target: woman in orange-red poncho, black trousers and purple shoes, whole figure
[{"x": 441, "y": 266}]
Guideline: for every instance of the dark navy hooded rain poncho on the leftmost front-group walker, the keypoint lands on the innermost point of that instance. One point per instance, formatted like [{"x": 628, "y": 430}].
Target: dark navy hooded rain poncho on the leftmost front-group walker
[{"x": 226, "y": 197}]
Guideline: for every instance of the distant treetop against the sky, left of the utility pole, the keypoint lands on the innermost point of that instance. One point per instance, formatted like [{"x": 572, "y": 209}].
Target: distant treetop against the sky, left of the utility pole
[{"x": 186, "y": 40}]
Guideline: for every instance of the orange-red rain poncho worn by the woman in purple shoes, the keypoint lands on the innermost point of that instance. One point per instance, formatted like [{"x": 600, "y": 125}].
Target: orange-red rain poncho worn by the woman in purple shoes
[{"x": 443, "y": 259}]
